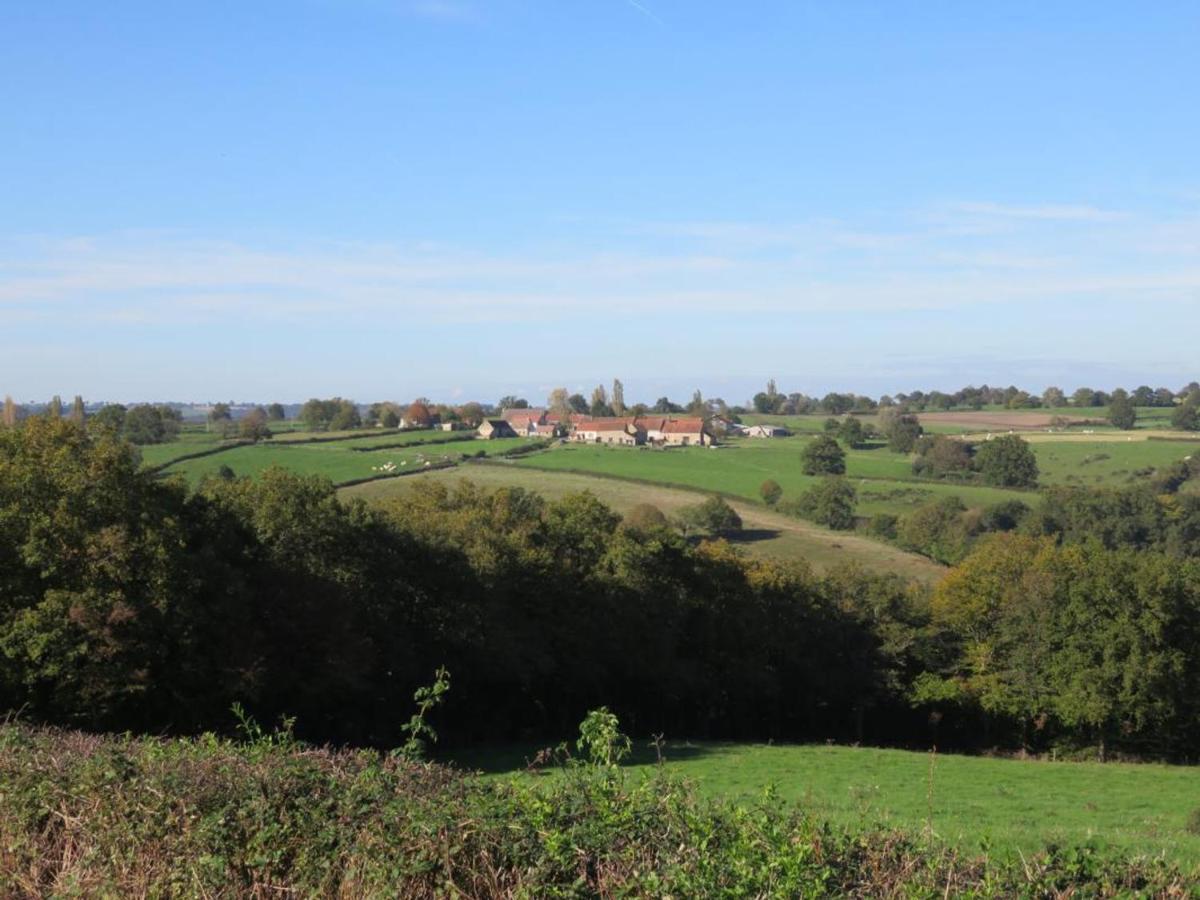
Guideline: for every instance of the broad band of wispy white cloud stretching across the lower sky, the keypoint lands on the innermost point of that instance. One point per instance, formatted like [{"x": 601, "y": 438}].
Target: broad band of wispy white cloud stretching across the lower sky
[{"x": 886, "y": 265}]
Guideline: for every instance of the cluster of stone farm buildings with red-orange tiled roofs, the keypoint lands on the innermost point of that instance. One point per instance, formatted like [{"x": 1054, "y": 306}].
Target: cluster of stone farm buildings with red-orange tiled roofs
[{"x": 652, "y": 430}]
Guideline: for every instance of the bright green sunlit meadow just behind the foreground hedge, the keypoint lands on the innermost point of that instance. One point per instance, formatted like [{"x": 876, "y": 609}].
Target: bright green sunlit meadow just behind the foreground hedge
[{"x": 1000, "y": 806}]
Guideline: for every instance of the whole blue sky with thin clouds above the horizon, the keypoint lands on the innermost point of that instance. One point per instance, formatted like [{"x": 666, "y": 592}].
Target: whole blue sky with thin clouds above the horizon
[{"x": 381, "y": 199}]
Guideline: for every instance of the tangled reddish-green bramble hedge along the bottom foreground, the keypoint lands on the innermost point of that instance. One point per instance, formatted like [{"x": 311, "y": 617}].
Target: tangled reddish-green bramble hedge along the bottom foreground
[{"x": 117, "y": 817}]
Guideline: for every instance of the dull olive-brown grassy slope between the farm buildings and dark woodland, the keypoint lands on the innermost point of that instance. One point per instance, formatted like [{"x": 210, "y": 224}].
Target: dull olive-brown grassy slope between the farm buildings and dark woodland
[{"x": 767, "y": 533}]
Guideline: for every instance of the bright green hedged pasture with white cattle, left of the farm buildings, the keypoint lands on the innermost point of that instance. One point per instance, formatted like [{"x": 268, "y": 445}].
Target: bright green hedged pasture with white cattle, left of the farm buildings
[{"x": 337, "y": 461}]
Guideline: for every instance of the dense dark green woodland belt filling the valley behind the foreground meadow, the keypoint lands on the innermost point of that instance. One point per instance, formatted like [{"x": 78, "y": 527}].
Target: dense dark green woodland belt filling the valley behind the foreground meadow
[{"x": 130, "y": 602}]
